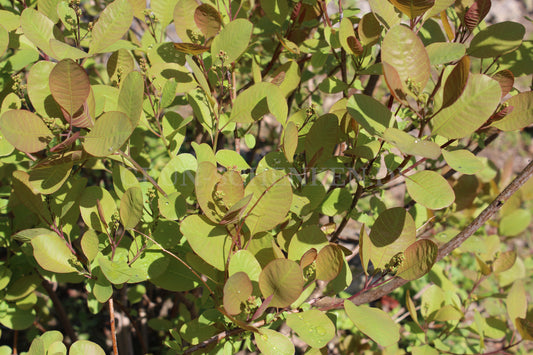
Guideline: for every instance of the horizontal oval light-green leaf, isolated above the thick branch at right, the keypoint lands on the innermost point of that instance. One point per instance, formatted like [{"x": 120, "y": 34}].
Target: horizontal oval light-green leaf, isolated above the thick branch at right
[{"x": 430, "y": 189}]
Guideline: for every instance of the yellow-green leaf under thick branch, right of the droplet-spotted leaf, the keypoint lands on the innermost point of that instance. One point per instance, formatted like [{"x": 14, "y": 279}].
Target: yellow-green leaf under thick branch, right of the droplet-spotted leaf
[{"x": 374, "y": 323}]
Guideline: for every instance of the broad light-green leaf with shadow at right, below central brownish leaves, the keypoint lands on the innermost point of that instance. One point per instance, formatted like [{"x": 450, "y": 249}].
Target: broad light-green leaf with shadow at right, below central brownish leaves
[{"x": 210, "y": 241}]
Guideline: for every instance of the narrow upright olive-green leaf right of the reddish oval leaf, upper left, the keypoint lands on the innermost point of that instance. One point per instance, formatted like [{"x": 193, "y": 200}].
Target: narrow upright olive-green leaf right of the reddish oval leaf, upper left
[{"x": 130, "y": 97}]
